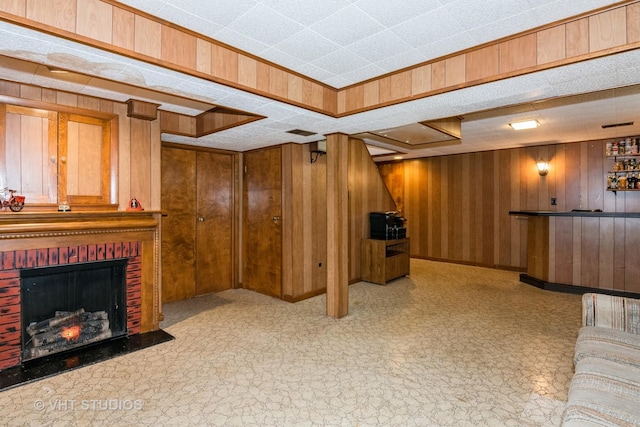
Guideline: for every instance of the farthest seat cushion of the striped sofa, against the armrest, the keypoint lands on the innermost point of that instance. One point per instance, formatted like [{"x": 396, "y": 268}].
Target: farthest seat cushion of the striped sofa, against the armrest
[{"x": 609, "y": 344}]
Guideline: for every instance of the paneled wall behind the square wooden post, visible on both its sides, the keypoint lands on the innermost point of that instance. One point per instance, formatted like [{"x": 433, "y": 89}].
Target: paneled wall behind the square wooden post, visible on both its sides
[{"x": 305, "y": 215}]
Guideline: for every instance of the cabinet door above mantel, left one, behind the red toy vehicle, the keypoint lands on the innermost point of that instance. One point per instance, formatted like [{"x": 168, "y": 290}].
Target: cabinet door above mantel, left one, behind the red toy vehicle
[{"x": 28, "y": 145}]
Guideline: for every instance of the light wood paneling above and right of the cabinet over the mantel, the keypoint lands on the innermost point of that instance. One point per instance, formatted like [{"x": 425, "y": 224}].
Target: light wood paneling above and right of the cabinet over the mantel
[{"x": 138, "y": 148}]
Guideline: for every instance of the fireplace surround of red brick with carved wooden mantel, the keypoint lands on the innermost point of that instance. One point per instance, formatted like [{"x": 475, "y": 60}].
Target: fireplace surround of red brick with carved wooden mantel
[{"x": 29, "y": 240}]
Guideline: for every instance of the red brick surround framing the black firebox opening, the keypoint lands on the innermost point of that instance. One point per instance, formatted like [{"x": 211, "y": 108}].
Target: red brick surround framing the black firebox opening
[{"x": 12, "y": 261}]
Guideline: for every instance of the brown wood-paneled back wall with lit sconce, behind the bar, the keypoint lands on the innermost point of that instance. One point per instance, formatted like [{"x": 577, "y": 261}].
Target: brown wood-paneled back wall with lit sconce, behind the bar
[{"x": 458, "y": 206}]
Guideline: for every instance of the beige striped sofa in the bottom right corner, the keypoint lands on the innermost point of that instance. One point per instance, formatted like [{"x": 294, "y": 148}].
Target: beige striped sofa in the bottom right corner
[{"x": 605, "y": 388}]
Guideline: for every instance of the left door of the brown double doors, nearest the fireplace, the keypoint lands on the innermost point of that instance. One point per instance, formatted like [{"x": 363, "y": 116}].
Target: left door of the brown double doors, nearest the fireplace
[{"x": 178, "y": 201}]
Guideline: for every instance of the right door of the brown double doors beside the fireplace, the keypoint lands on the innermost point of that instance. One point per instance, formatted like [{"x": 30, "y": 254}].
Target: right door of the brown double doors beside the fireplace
[{"x": 214, "y": 229}]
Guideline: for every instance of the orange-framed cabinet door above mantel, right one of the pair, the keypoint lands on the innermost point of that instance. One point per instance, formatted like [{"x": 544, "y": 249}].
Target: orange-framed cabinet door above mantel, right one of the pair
[{"x": 84, "y": 159}]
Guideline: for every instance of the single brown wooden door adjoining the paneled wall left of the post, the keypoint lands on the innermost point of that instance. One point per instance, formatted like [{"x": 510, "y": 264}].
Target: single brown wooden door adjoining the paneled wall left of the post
[{"x": 262, "y": 237}]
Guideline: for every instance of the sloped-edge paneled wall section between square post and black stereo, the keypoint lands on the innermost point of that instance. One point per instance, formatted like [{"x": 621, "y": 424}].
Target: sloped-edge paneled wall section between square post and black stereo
[{"x": 367, "y": 193}]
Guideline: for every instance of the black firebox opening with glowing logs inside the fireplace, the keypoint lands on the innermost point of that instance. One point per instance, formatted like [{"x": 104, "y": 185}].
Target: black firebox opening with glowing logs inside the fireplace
[{"x": 69, "y": 306}]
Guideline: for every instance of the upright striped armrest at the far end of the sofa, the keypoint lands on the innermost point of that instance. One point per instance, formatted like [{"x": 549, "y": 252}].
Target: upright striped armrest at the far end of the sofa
[{"x": 612, "y": 312}]
